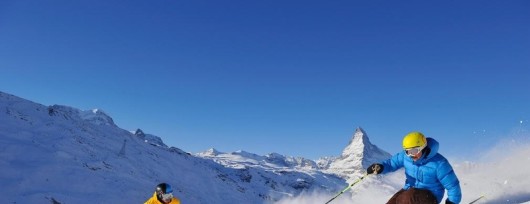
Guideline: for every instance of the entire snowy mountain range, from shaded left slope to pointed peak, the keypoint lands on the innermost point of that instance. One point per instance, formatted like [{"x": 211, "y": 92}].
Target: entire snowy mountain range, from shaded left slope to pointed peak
[{"x": 61, "y": 154}]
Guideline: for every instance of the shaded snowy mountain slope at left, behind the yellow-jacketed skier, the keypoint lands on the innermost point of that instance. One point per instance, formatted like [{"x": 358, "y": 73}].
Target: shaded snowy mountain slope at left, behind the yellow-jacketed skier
[{"x": 70, "y": 156}]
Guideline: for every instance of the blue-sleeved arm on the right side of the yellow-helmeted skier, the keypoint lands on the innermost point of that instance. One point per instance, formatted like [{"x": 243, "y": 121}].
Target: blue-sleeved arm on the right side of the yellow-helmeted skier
[{"x": 448, "y": 178}]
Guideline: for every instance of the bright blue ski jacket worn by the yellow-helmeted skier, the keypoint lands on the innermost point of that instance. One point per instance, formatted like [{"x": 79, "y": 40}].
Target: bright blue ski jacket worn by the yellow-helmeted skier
[{"x": 432, "y": 172}]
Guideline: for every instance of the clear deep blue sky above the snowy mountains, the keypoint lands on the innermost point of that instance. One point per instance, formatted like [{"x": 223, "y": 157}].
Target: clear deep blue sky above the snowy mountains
[{"x": 293, "y": 77}]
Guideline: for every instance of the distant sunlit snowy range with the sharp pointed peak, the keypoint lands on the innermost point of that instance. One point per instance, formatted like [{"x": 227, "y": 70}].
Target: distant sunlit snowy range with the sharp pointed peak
[{"x": 352, "y": 163}]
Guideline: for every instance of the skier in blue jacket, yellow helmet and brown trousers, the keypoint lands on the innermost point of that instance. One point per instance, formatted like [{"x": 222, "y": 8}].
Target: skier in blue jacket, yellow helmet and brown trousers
[{"x": 428, "y": 173}]
